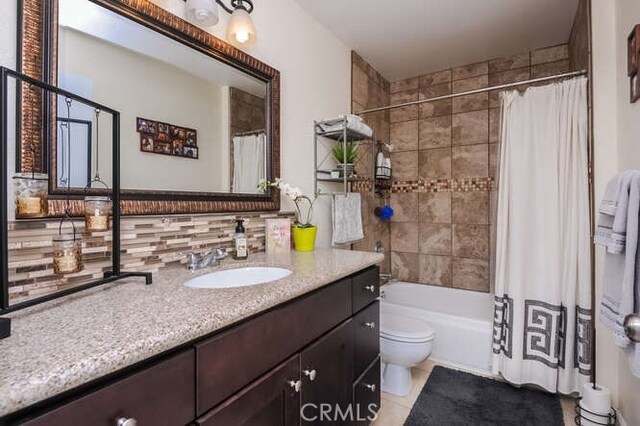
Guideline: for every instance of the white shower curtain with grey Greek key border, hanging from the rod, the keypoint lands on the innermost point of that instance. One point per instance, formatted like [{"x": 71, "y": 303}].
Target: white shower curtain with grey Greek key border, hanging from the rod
[{"x": 542, "y": 315}]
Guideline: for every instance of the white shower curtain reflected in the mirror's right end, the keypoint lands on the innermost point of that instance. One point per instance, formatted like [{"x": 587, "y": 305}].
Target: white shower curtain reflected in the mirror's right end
[{"x": 249, "y": 162}]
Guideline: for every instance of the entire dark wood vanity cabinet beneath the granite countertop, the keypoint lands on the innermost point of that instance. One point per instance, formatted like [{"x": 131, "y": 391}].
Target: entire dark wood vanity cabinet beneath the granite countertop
[{"x": 314, "y": 360}]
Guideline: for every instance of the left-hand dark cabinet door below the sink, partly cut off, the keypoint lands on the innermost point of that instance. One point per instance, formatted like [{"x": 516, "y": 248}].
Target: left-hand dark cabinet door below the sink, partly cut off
[{"x": 273, "y": 399}]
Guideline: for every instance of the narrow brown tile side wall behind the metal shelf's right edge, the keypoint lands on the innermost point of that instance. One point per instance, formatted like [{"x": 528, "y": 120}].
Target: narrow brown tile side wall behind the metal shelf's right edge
[{"x": 370, "y": 90}]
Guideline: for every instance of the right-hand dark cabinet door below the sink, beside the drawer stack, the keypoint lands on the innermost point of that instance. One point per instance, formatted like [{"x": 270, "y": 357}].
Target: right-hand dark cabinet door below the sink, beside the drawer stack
[{"x": 327, "y": 378}]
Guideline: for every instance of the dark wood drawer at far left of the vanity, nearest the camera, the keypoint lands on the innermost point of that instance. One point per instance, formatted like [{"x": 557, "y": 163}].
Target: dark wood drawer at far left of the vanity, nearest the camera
[{"x": 160, "y": 395}]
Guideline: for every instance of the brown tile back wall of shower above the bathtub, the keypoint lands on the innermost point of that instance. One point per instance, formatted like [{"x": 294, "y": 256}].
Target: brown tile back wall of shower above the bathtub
[{"x": 444, "y": 159}]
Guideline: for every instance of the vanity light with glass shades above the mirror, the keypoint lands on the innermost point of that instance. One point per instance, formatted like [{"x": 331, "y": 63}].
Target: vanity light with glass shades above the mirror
[{"x": 240, "y": 32}]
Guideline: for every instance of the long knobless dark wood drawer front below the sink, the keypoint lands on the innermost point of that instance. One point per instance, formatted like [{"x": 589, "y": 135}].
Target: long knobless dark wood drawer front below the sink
[{"x": 231, "y": 360}]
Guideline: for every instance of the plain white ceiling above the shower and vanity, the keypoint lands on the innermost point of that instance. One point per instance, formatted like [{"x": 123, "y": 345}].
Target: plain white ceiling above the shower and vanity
[{"x": 406, "y": 38}]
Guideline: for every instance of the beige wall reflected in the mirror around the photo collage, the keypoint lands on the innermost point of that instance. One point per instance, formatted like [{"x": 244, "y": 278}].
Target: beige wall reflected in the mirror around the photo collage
[{"x": 139, "y": 86}]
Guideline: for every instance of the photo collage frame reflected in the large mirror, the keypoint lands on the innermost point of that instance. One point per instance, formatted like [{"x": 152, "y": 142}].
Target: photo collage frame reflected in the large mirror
[{"x": 157, "y": 137}]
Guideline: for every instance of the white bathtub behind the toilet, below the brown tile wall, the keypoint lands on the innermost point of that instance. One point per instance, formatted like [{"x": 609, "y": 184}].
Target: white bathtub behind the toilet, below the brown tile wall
[{"x": 462, "y": 320}]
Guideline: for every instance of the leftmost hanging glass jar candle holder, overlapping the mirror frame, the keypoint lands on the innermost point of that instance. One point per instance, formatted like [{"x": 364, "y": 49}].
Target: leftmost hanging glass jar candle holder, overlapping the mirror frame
[{"x": 31, "y": 192}]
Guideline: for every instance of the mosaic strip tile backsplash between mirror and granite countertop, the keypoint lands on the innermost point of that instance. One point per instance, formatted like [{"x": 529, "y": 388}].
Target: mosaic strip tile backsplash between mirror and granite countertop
[{"x": 148, "y": 243}]
